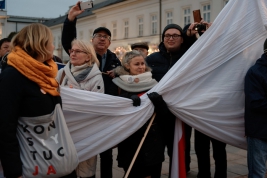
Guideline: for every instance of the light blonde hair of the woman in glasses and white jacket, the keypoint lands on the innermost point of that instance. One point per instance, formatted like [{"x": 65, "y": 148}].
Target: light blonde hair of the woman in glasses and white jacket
[{"x": 88, "y": 48}]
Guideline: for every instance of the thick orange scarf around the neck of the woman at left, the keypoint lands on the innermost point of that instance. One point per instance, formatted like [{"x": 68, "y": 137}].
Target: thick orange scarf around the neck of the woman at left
[{"x": 38, "y": 72}]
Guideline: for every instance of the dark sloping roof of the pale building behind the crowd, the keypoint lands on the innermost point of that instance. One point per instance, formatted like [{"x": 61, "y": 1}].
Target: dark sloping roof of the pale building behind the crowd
[{"x": 88, "y": 12}]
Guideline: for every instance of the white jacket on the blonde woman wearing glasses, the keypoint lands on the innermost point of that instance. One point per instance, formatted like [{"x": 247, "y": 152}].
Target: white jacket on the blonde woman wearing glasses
[{"x": 93, "y": 82}]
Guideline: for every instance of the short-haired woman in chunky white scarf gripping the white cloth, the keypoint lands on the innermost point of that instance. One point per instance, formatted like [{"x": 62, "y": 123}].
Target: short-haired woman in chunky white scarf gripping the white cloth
[{"x": 134, "y": 79}]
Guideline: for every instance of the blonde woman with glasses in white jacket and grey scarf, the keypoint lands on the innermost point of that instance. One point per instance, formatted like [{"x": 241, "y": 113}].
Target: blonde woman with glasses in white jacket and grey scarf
[{"x": 82, "y": 72}]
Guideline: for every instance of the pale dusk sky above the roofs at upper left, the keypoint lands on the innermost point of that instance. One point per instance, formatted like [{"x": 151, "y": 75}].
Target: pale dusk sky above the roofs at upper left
[{"x": 38, "y": 8}]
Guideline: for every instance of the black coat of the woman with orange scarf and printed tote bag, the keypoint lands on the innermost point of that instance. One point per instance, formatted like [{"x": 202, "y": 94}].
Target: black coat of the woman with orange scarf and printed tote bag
[{"x": 20, "y": 97}]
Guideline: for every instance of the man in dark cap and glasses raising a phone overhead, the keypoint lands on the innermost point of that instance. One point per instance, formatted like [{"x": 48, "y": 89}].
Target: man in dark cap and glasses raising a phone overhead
[{"x": 108, "y": 61}]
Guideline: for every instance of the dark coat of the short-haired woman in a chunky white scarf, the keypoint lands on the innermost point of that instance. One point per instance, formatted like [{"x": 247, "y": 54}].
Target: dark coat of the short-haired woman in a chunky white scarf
[{"x": 152, "y": 151}]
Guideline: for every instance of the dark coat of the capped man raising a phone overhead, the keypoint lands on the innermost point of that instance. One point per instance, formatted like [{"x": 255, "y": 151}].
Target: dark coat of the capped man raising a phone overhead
[{"x": 69, "y": 34}]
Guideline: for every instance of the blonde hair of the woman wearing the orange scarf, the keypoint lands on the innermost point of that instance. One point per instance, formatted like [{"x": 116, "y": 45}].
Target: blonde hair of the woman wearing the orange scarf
[{"x": 33, "y": 39}]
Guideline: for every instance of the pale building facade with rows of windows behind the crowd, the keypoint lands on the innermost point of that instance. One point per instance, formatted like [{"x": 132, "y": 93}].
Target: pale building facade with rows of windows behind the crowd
[{"x": 132, "y": 21}]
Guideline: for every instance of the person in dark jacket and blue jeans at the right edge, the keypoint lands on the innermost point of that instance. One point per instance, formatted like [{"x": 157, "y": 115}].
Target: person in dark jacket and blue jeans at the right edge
[{"x": 255, "y": 116}]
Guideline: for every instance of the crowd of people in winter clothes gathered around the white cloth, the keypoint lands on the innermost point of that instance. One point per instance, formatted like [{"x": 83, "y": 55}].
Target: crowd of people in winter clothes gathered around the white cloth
[{"x": 30, "y": 80}]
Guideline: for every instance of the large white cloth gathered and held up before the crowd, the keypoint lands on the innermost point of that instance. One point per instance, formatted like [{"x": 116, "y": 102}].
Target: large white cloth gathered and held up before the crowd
[{"x": 204, "y": 88}]
